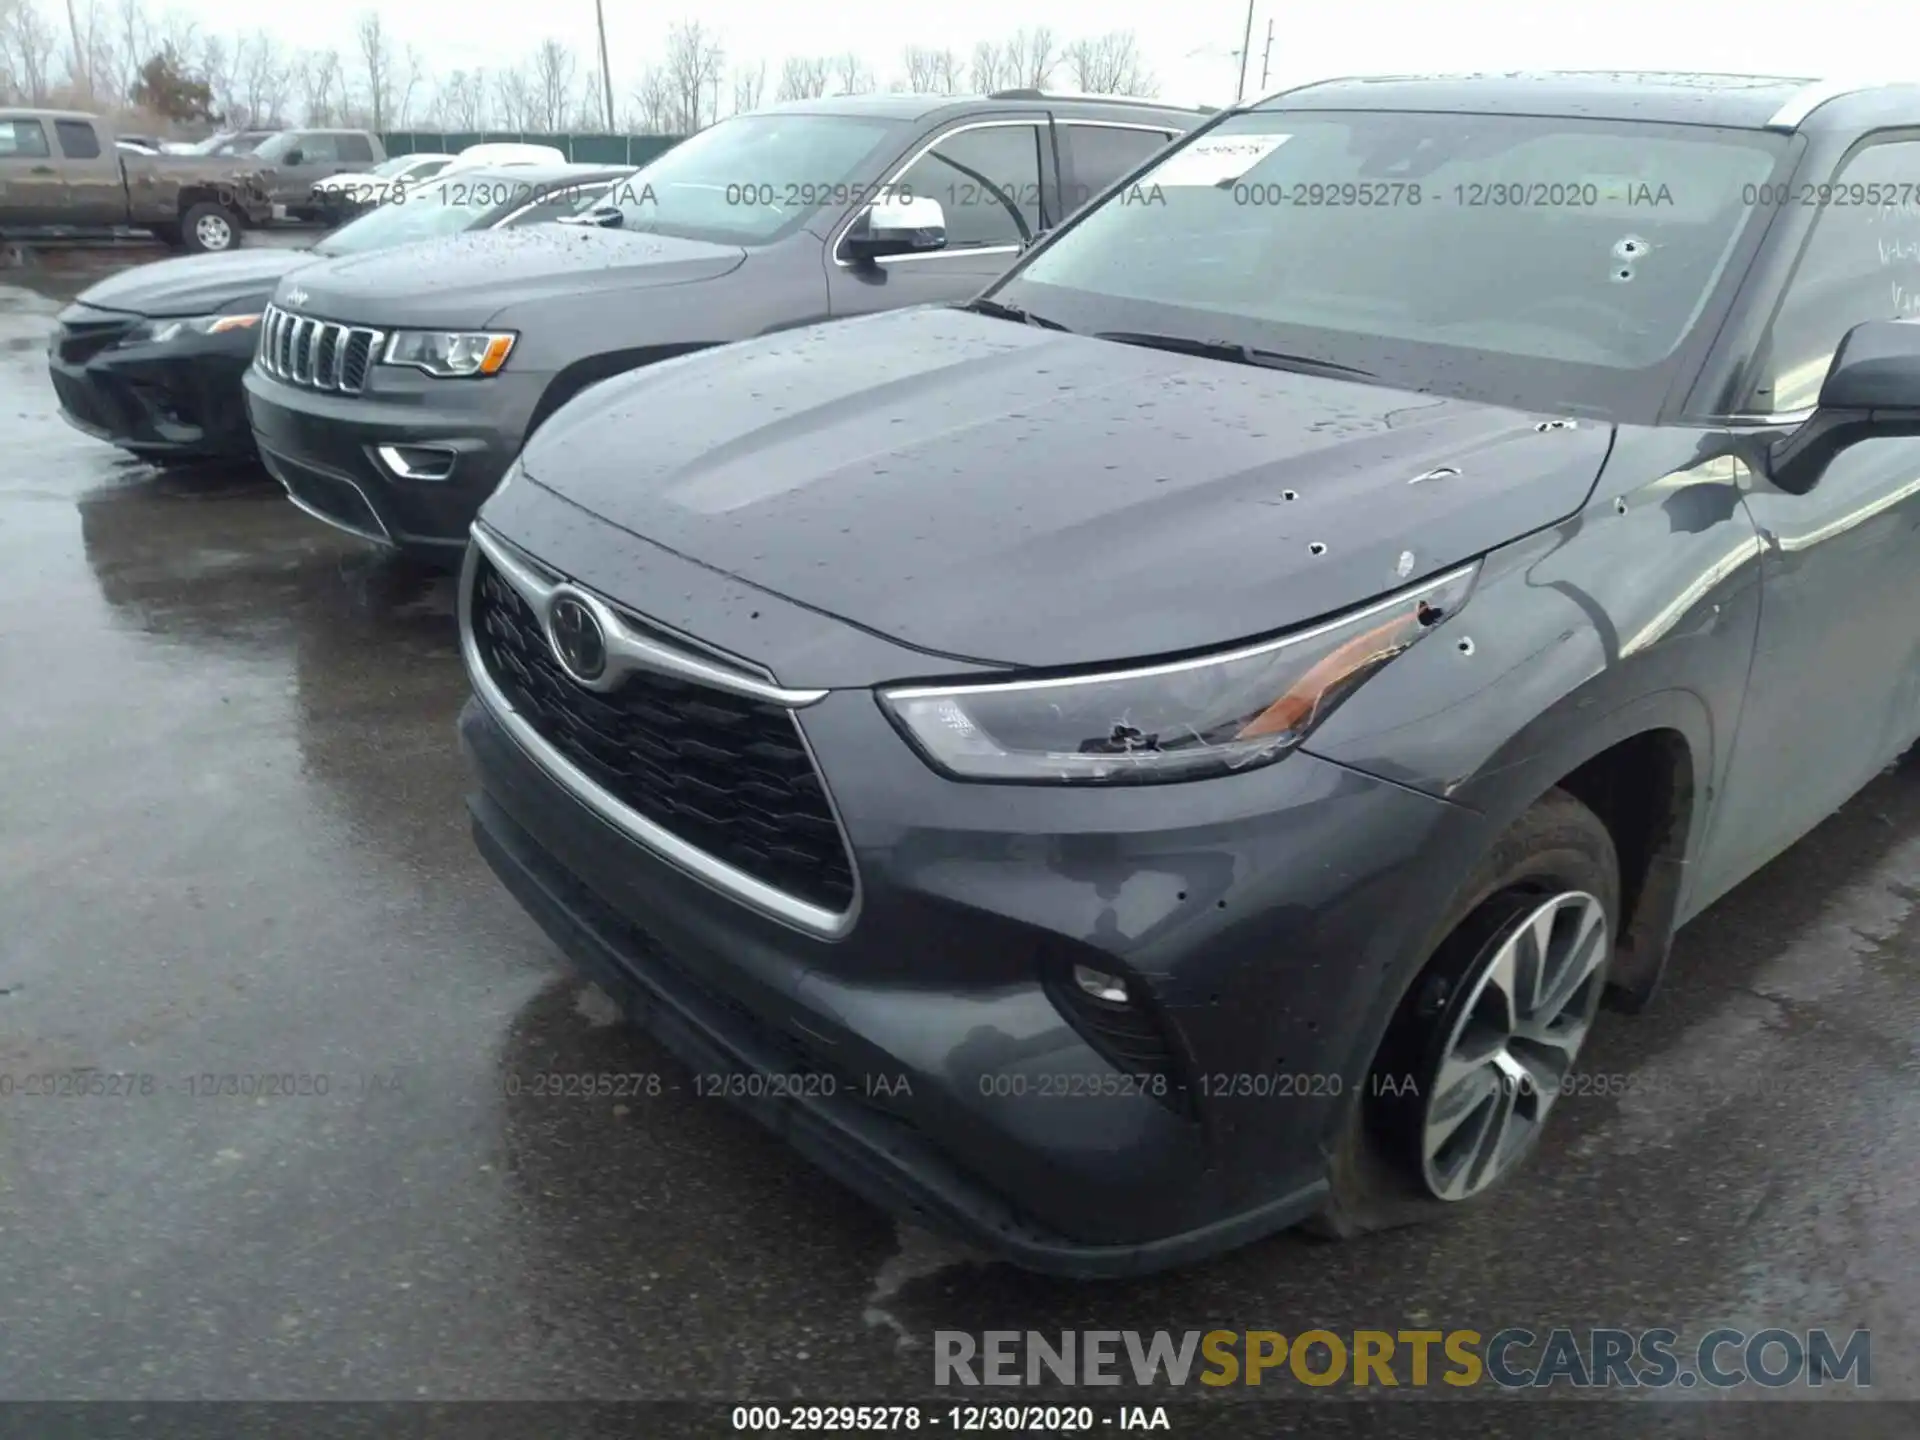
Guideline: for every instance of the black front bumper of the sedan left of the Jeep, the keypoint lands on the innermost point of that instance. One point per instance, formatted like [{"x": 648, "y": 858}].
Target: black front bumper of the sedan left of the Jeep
[{"x": 178, "y": 400}]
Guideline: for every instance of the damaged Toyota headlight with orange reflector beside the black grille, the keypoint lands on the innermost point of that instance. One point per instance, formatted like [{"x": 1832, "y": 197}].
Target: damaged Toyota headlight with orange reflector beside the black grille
[{"x": 1178, "y": 721}]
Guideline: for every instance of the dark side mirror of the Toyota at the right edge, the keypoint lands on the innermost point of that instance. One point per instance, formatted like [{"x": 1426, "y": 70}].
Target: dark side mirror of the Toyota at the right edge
[{"x": 1871, "y": 391}]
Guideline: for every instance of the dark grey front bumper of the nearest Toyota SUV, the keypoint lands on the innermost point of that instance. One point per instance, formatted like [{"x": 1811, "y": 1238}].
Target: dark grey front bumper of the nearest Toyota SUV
[{"x": 1262, "y": 919}]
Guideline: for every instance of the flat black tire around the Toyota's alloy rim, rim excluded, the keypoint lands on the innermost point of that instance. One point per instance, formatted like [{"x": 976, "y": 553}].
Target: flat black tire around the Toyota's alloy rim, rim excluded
[{"x": 1376, "y": 1170}]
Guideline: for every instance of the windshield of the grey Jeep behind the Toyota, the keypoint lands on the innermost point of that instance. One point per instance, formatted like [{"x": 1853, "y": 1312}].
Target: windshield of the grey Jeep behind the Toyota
[{"x": 757, "y": 178}]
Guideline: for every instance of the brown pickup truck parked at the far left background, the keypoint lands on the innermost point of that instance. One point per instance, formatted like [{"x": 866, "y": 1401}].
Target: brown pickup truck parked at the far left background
[{"x": 66, "y": 174}]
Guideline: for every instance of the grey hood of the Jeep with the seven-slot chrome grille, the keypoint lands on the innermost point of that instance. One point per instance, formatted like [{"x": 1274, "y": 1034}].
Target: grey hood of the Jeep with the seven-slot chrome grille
[{"x": 468, "y": 279}]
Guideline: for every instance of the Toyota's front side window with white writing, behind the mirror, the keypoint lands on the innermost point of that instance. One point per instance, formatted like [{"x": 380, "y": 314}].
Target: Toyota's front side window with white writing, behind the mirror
[{"x": 1861, "y": 264}]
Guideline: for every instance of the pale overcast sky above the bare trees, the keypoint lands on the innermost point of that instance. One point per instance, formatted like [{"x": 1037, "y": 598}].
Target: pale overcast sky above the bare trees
[{"x": 1343, "y": 37}]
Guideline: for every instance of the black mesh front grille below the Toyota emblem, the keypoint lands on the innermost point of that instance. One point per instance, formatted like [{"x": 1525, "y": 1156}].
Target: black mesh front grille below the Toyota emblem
[{"x": 723, "y": 773}]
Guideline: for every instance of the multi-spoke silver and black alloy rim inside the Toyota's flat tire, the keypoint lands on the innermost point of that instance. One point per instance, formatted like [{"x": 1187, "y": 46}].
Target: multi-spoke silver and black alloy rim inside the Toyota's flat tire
[{"x": 1529, "y": 1007}]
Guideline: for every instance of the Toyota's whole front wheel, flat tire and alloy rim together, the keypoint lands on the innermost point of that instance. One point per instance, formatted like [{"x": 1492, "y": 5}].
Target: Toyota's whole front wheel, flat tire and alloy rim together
[{"x": 1485, "y": 1042}]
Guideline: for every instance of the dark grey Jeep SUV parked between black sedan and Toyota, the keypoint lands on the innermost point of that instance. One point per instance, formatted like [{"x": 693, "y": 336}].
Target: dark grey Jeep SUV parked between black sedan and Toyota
[{"x": 759, "y": 224}]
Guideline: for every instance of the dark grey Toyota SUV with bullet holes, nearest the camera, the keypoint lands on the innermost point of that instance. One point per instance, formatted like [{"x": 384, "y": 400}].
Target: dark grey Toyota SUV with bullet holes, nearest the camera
[{"x": 1182, "y": 744}]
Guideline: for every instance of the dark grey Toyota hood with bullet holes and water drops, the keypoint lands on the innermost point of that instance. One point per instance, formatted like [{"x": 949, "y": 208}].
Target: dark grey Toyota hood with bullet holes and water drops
[{"x": 999, "y": 492}]
